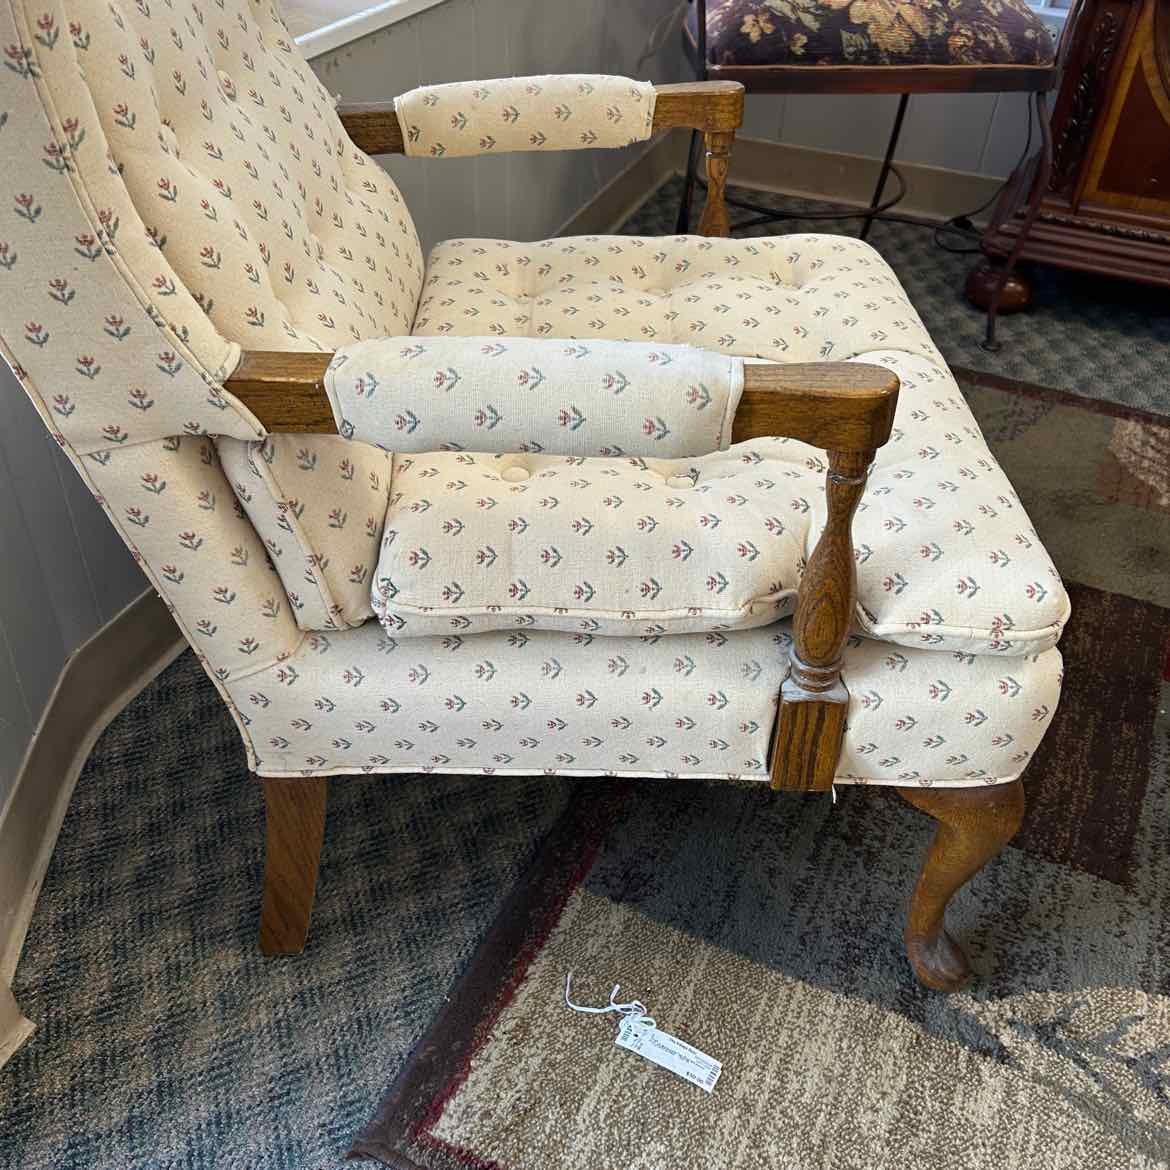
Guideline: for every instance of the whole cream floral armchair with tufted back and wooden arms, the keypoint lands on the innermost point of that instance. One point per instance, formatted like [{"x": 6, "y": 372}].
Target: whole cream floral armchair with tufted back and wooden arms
[{"x": 584, "y": 506}]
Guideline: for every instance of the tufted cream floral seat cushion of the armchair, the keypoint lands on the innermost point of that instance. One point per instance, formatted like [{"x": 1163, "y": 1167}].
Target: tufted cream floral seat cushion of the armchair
[{"x": 947, "y": 558}]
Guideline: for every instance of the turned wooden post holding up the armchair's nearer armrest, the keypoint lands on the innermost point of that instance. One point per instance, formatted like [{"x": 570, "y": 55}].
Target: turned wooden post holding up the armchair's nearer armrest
[{"x": 814, "y": 700}]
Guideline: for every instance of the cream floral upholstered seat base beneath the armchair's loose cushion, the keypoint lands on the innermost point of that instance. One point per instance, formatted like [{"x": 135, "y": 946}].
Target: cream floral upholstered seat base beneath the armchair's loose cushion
[{"x": 699, "y": 706}]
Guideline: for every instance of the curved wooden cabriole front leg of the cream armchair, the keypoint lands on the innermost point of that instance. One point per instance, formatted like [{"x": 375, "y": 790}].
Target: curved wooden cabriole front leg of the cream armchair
[{"x": 974, "y": 825}]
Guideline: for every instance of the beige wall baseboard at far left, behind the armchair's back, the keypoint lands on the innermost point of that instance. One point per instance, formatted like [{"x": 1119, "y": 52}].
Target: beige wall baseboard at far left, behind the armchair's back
[{"x": 95, "y": 685}]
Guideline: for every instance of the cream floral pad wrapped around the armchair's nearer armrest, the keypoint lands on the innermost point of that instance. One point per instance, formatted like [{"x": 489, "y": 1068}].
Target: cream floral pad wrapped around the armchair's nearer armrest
[{"x": 521, "y": 395}]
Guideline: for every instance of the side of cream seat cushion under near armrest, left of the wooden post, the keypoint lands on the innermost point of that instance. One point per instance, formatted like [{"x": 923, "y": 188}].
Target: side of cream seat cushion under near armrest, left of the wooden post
[{"x": 598, "y": 546}]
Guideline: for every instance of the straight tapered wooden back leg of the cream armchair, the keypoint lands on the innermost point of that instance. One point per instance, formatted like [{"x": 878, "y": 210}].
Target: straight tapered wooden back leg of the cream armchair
[{"x": 295, "y": 820}]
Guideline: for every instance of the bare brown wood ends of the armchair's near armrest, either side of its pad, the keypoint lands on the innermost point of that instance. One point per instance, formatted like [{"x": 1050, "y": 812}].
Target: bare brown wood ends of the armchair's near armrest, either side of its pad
[{"x": 832, "y": 405}]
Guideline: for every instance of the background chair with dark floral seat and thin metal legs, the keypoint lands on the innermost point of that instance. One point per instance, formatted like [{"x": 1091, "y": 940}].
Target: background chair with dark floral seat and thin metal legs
[{"x": 884, "y": 47}]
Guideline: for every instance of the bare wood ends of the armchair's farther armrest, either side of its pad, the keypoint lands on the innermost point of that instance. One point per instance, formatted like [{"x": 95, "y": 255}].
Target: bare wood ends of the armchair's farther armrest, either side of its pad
[{"x": 707, "y": 106}]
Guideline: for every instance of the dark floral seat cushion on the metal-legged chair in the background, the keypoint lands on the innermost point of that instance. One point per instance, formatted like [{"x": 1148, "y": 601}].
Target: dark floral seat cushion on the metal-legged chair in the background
[{"x": 873, "y": 33}]
